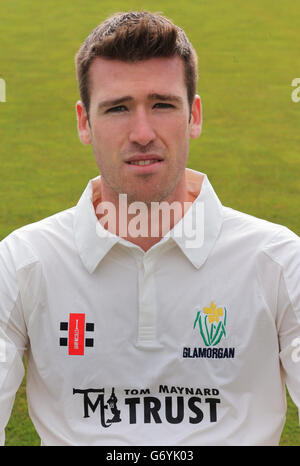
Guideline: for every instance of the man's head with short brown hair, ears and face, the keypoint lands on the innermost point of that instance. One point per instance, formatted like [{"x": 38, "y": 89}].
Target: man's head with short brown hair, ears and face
[{"x": 137, "y": 78}]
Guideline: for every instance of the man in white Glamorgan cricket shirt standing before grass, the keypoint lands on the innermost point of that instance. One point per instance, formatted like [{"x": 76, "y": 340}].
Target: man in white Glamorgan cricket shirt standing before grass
[{"x": 133, "y": 338}]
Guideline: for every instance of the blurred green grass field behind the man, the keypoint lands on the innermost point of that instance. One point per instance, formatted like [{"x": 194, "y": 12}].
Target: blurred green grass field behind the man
[{"x": 248, "y": 56}]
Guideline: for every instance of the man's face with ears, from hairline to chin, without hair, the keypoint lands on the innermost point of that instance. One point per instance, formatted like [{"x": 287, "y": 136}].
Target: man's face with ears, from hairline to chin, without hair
[{"x": 140, "y": 127}]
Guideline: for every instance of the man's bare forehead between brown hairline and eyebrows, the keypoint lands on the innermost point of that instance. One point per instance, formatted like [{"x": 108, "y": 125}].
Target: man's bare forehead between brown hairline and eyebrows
[{"x": 155, "y": 75}]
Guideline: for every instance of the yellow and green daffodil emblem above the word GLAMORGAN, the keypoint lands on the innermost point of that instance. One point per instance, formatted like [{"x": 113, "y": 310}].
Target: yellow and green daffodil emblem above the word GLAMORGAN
[{"x": 212, "y": 324}]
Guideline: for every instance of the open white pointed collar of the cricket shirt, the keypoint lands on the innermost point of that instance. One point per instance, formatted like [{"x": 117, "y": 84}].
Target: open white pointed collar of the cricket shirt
[{"x": 195, "y": 234}]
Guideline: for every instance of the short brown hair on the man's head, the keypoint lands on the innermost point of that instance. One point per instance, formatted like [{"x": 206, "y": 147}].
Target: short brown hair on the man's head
[{"x": 136, "y": 36}]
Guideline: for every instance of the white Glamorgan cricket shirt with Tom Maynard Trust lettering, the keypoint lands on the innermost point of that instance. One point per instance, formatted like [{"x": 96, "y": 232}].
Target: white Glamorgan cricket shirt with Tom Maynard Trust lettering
[{"x": 176, "y": 346}]
